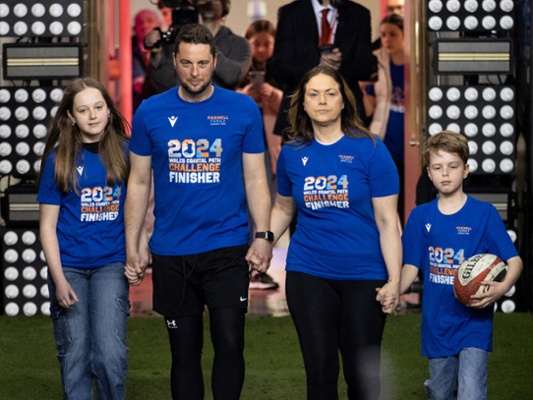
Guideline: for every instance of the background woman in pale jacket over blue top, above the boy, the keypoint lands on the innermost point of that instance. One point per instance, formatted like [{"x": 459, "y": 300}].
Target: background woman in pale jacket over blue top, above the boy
[{"x": 385, "y": 100}]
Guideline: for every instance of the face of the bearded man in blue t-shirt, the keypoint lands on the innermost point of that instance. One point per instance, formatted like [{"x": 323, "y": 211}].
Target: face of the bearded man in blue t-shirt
[{"x": 195, "y": 66}]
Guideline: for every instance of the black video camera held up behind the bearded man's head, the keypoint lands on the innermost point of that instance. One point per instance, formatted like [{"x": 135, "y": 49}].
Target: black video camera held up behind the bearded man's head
[{"x": 183, "y": 13}]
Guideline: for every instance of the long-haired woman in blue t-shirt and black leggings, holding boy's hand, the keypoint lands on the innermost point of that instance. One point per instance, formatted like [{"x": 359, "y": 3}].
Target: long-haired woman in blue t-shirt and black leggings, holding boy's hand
[{"x": 344, "y": 185}]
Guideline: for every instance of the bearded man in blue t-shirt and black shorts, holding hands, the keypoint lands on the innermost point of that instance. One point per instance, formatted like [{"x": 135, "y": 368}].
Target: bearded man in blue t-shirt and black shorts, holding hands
[{"x": 206, "y": 148}]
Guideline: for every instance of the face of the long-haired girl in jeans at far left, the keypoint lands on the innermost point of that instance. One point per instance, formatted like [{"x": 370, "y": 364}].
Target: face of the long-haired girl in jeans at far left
[{"x": 90, "y": 113}]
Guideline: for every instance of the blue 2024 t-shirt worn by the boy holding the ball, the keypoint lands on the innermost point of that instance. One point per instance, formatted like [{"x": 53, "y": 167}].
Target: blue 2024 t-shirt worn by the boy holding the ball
[{"x": 438, "y": 244}]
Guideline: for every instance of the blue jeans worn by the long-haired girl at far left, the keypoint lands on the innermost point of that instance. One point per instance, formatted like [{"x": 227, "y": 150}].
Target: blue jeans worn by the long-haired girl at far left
[{"x": 91, "y": 335}]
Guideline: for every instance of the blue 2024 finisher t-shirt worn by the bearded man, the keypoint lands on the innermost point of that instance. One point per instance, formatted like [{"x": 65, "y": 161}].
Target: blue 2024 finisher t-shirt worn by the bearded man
[{"x": 197, "y": 150}]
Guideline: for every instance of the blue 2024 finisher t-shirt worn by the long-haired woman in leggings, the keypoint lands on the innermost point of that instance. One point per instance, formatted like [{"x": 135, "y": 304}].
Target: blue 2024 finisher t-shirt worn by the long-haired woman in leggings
[{"x": 333, "y": 185}]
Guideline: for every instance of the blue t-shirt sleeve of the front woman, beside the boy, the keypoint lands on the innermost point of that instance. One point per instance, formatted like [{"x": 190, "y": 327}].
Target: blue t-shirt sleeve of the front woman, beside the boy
[{"x": 383, "y": 174}]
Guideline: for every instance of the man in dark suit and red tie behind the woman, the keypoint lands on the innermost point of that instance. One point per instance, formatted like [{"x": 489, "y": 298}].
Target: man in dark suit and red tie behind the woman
[{"x": 300, "y": 46}]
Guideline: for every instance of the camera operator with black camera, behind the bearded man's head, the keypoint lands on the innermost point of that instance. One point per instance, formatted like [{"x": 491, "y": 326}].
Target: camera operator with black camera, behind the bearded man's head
[{"x": 233, "y": 52}]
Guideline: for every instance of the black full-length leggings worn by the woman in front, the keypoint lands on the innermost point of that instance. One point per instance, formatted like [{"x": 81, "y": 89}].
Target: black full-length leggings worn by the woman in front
[{"x": 333, "y": 315}]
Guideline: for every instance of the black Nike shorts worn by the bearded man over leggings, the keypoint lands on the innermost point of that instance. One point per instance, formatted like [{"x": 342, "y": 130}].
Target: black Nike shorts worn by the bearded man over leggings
[{"x": 183, "y": 285}]
